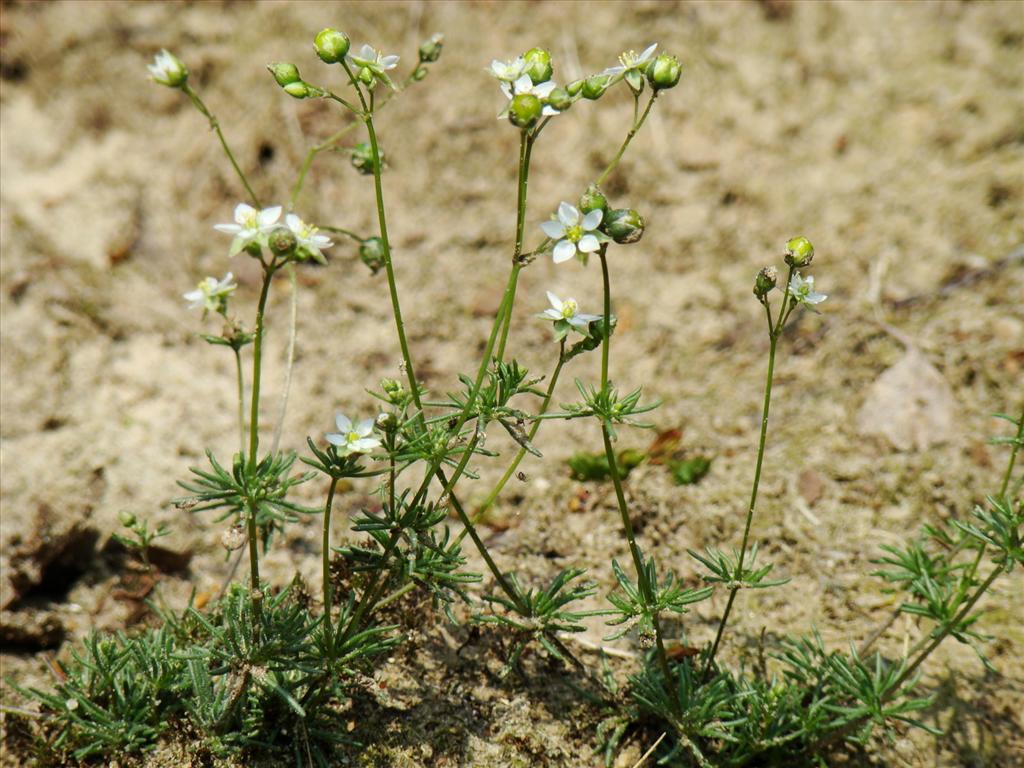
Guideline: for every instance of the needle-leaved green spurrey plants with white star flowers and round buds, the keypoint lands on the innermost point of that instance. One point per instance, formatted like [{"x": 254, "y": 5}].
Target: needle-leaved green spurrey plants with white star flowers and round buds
[{"x": 269, "y": 669}]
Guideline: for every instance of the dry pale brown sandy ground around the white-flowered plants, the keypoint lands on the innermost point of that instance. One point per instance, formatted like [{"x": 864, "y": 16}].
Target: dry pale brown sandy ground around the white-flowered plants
[{"x": 889, "y": 134}]
